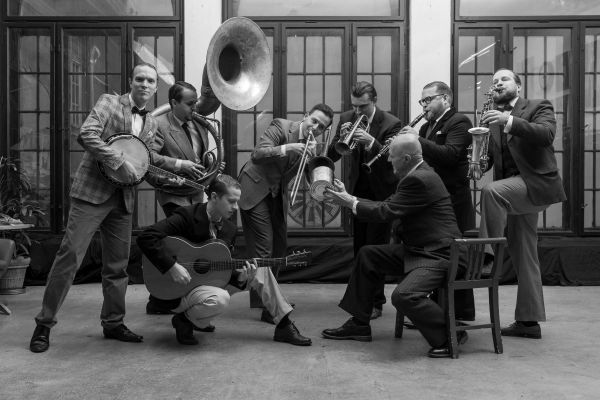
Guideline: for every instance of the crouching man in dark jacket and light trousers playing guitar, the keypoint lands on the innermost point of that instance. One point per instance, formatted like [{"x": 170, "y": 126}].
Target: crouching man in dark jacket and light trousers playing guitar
[{"x": 199, "y": 223}]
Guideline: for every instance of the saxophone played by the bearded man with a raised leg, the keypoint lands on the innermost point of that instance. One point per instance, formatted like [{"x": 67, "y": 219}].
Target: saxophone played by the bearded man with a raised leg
[{"x": 477, "y": 151}]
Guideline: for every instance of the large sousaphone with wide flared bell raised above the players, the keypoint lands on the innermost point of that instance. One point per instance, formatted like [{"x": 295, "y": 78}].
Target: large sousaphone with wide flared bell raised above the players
[{"x": 237, "y": 74}]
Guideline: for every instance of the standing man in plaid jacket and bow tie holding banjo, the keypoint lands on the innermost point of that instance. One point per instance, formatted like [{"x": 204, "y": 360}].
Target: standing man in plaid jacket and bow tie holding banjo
[{"x": 97, "y": 204}]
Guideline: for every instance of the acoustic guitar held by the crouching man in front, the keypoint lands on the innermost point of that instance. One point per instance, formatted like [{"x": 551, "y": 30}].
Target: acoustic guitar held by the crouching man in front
[{"x": 208, "y": 263}]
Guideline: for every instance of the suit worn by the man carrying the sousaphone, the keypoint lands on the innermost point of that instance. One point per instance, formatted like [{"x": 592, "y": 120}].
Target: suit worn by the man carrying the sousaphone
[{"x": 171, "y": 143}]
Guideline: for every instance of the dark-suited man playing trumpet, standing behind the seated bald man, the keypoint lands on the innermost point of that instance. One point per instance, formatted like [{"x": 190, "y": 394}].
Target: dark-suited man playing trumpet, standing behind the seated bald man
[{"x": 361, "y": 133}]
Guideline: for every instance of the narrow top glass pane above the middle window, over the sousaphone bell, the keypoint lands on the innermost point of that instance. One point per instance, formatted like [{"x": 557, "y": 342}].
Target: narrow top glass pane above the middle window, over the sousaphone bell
[{"x": 334, "y": 8}]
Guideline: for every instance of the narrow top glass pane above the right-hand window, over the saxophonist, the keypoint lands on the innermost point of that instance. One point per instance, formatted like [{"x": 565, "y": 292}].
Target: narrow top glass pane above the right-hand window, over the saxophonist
[{"x": 474, "y": 8}]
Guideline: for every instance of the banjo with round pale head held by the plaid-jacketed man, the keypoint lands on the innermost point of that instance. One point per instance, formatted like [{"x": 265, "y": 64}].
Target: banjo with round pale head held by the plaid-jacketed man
[{"x": 135, "y": 151}]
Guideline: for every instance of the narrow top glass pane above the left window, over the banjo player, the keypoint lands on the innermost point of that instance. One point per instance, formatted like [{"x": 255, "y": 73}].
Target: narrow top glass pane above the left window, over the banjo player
[{"x": 91, "y": 8}]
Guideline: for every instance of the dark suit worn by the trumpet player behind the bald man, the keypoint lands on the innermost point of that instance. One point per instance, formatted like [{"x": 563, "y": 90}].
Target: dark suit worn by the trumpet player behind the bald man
[{"x": 377, "y": 185}]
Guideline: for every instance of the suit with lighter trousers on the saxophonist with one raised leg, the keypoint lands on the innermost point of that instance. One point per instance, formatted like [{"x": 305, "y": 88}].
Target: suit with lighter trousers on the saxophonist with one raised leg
[{"x": 514, "y": 202}]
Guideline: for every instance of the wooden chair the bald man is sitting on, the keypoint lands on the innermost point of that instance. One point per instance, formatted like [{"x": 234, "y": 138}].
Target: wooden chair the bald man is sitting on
[{"x": 470, "y": 251}]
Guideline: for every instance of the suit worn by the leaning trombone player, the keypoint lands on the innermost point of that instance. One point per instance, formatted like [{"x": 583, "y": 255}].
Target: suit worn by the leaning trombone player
[{"x": 264, "y": 180}]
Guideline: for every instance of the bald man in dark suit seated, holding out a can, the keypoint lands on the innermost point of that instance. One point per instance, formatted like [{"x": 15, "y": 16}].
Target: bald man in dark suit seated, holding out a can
[{"x": 427, "y": 226}]
